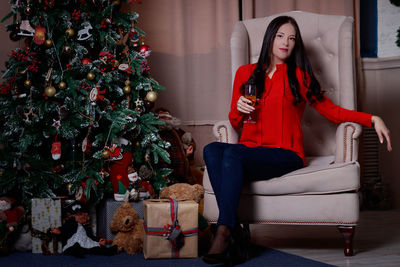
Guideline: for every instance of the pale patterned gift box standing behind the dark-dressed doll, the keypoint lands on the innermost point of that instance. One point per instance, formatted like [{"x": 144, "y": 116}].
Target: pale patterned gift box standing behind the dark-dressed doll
[{"x": 46, "y": 214}]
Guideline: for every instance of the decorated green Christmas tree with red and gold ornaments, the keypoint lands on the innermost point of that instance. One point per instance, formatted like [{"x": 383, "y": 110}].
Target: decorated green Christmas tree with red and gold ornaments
[{"x": 76, "y": 101}]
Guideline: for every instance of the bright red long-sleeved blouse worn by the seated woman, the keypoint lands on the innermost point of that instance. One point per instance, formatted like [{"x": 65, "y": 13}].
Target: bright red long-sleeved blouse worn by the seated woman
[{"x": 278, "y": 121}]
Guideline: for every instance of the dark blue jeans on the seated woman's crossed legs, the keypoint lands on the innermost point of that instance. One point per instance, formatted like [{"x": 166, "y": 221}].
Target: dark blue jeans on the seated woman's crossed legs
[{"x": 229, "y": 165}]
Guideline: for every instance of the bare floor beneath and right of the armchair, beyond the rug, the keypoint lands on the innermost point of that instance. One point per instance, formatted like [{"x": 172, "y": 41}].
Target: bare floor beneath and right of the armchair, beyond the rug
[{"x": 376, "y": 241}]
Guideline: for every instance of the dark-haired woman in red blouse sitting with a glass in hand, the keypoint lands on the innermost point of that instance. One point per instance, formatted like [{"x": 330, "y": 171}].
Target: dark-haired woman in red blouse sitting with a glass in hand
[{"x": 272, "y": 144}]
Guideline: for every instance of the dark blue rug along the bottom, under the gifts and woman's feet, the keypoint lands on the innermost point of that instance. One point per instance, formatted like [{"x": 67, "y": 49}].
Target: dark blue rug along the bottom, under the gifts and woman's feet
[{"x": 264, "y": 257}]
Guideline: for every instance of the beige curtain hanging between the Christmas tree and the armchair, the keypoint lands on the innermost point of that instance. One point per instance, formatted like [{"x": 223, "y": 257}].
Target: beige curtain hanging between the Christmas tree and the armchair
[{"x": 190, "y": 55}]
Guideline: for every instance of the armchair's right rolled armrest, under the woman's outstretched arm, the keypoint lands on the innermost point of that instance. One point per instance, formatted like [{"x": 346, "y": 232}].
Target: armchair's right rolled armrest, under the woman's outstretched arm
[{"x": 347, "y": 135}]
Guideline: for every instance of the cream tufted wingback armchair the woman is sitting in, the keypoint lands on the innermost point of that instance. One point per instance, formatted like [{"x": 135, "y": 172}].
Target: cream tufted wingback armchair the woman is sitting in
[{"x": 324, "y": 192}]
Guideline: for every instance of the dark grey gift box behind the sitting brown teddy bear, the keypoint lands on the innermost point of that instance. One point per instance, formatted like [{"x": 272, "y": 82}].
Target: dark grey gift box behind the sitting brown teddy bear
[{"x": 105, "y": 213}]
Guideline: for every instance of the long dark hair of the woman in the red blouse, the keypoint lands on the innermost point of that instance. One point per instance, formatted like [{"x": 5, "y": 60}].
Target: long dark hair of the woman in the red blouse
[{"x": 298, "y": 58}]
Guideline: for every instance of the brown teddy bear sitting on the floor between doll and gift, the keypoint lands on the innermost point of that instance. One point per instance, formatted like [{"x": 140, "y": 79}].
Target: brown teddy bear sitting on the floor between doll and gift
[{"x": 130, "y": 229}]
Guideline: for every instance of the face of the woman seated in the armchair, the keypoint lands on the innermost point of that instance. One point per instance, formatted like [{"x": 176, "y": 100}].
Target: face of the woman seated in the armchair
[{"x": 284, "y": 42}]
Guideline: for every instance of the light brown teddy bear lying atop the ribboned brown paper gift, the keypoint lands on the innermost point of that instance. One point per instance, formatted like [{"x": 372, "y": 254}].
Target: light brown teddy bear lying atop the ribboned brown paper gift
[{"x": 183, "y": 191}]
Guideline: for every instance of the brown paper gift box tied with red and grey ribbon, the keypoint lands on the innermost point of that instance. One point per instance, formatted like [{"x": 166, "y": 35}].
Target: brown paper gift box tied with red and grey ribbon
[{"x": 171, "y": 228}]
